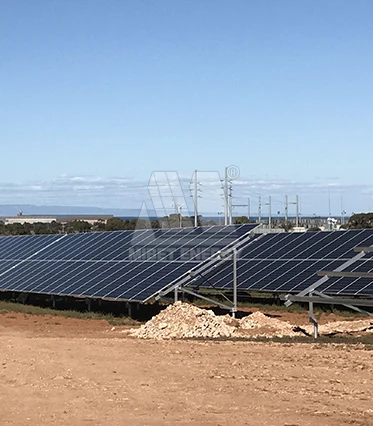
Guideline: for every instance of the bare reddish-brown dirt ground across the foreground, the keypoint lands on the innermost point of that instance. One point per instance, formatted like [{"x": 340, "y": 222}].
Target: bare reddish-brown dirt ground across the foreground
[{"x": 61, "y": 371}]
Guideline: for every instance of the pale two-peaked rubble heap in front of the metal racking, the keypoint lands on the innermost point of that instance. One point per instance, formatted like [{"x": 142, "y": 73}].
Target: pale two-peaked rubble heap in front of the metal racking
[{"x": 182, "y": 320}]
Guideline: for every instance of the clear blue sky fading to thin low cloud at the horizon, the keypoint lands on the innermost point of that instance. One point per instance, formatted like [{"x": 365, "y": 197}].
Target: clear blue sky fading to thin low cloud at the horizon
[{"x": 96, "y": 95}]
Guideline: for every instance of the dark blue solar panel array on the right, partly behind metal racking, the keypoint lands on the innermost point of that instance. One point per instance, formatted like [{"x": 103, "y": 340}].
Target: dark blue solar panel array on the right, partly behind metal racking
[{"x": 289, "y": 262}]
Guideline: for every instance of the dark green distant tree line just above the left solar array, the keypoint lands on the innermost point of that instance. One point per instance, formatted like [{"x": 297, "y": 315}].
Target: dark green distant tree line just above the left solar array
[{"x": 112, "y": 224}]
